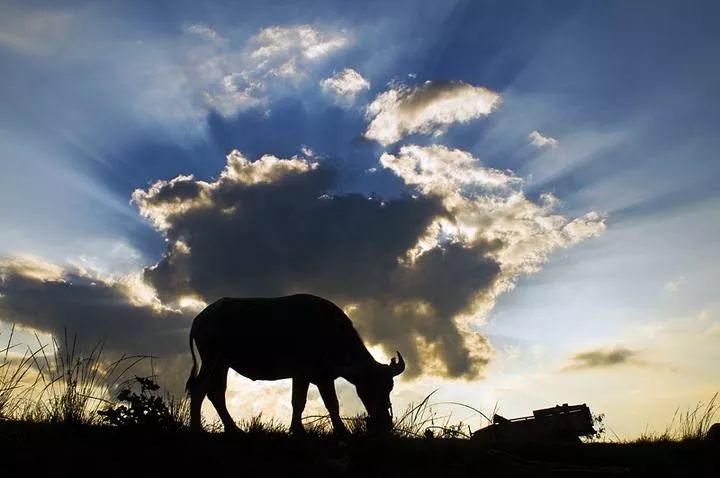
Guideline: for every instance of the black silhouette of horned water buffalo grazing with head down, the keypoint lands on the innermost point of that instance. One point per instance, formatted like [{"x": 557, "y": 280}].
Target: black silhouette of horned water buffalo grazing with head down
[{"x": 303, "y": 337}]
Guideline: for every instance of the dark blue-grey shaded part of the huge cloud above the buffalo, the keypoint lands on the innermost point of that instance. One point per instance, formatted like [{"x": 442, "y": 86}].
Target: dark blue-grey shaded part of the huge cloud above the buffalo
[{"x": 291, "y": 235}]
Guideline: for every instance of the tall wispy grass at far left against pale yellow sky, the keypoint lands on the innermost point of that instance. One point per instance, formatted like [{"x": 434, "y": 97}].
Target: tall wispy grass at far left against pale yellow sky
[{"x": 60, "y": 382}]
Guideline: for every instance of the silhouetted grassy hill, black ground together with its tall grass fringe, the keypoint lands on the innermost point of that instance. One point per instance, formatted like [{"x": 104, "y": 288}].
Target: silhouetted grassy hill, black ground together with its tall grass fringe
[{"x": 64, "y": 415}]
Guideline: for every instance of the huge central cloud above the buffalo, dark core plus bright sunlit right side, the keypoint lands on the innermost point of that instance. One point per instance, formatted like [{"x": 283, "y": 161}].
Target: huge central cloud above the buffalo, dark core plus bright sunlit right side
[{"x": 417, "y": 272}]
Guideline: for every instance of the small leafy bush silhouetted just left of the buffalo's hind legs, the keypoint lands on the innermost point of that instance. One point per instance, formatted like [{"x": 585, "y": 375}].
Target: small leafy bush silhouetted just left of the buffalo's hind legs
[{"x": 145, "y": 407}]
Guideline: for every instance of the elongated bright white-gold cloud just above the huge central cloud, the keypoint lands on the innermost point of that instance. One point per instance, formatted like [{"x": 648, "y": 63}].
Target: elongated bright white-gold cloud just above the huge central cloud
[{"x": 428, "y": 108}]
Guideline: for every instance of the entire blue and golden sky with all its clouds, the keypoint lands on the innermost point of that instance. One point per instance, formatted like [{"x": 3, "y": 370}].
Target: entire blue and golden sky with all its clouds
[{"x": 520, "y": 196}]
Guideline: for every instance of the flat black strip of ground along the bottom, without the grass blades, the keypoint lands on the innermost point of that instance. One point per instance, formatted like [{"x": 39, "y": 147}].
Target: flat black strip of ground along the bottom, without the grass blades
[{"x": 60, "y": 451}]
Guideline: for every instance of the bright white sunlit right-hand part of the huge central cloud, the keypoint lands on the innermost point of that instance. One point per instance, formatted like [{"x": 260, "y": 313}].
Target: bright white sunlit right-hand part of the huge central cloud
[{"x": 488, "y": 205}]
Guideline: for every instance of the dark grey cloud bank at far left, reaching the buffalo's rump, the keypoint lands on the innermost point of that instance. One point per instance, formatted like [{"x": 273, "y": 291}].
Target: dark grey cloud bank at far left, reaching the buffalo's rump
[{"x": 89, "y": 311}]
